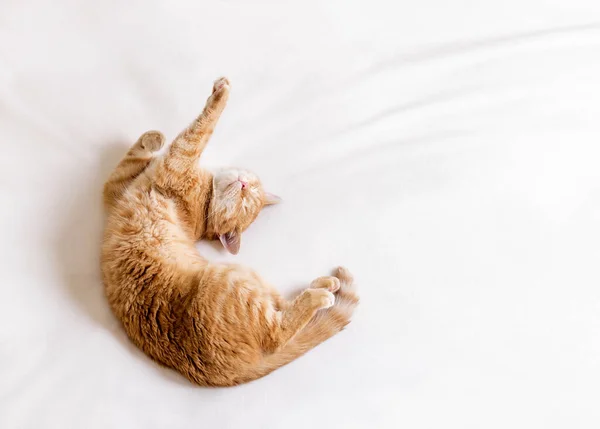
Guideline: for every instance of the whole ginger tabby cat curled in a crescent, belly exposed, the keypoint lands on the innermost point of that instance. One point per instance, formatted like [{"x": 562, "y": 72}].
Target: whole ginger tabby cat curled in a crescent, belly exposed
[{"x": 217, "y": 324}]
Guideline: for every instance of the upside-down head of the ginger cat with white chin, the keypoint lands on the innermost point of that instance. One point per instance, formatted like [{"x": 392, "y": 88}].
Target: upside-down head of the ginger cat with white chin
[{"x": 237, "y": 199}]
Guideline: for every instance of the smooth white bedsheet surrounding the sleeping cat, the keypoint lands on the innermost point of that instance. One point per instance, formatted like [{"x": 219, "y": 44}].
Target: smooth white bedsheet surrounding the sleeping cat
[{"x": 446, "y": 152}]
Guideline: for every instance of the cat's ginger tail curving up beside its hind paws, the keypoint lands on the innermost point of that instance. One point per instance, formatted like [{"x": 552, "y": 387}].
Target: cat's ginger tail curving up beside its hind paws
[{"x": 324, "y": 325}]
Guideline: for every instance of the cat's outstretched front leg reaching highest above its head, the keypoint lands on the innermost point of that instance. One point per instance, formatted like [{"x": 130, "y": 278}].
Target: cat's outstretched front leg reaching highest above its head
[{"x": 189, "y": 144}]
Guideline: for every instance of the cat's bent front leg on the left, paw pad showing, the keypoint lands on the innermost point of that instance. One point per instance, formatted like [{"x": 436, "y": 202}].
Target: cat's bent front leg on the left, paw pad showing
[{"x": 135, "y": 161}]
